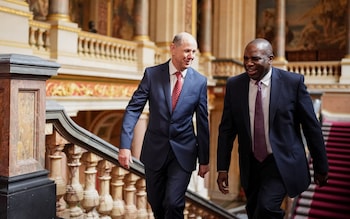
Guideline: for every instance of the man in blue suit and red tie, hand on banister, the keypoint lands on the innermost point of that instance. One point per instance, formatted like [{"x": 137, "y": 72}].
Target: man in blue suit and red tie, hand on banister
[{"x": 171, "y": 145}]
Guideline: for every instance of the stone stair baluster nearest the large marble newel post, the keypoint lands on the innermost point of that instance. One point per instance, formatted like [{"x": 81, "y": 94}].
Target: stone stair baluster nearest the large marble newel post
[{"x": 55, "y": 144}]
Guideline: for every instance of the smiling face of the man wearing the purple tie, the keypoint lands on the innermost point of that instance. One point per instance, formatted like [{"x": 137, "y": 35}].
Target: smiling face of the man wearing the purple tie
[{"x": 256, "y": 62}]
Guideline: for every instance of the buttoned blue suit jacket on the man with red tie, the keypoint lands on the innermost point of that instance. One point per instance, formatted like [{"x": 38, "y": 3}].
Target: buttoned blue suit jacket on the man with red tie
[{"x": 166, "y": 128}]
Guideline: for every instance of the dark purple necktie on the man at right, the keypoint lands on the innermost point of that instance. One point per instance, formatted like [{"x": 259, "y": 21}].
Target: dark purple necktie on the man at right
[{"x": 260, "y": 148}]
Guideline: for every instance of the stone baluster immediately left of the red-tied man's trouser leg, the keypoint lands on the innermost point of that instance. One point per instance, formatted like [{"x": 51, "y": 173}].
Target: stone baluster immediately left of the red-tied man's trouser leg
[{"x": 141, "y": 199}]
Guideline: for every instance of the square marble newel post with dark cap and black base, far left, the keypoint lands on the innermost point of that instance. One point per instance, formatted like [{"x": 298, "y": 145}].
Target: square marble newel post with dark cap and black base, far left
[{"x": 26, "y": 190}]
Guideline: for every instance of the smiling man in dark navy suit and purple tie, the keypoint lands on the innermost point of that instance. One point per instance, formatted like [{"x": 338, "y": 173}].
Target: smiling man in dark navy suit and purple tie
[{"x": 281, "y": 168}]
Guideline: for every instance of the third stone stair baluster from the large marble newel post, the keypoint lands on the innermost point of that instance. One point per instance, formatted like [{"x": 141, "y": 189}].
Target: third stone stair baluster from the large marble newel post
[{"x": 91, "y": 197}]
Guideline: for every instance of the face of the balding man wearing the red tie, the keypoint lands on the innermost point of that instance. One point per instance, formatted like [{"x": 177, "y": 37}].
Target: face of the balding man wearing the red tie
[{"x": 184, "y": 53}]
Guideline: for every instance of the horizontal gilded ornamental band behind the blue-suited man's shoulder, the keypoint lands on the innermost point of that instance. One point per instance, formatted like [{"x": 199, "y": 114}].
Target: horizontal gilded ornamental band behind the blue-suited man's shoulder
[{"x": 89, "y": 89}]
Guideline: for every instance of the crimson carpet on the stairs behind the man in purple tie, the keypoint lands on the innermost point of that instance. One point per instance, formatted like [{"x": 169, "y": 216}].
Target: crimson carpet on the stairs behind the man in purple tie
[{"x": 333, "y": 200}]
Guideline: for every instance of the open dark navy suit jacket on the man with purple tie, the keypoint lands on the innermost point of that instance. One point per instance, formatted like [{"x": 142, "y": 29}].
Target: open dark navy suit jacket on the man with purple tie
[{"x": 290, "y": 109}]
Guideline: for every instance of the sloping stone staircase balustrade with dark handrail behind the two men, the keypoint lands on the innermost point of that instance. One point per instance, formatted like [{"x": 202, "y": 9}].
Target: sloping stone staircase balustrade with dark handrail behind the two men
[{"x": 91, "y": 184}]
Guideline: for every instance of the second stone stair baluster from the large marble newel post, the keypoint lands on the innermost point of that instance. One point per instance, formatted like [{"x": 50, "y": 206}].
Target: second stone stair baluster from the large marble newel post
[{"x": 74, "y": 191}]
